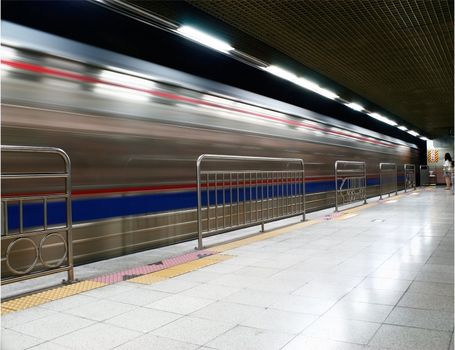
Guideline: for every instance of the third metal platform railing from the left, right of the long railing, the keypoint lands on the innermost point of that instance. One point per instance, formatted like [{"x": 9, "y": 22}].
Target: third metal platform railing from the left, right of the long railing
[{"x": 350, "y": 182}]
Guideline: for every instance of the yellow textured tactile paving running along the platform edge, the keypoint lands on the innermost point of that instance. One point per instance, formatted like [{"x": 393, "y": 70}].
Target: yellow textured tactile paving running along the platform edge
[{"x": 76, "y": 288}]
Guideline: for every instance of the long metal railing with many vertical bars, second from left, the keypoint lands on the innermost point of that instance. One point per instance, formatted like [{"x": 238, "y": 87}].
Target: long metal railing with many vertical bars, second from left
[{"x": 243, "y": 191}]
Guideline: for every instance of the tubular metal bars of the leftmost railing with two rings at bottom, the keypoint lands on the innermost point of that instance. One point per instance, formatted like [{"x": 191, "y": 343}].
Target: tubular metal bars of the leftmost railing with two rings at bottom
[{"x": 64, "y": 263}]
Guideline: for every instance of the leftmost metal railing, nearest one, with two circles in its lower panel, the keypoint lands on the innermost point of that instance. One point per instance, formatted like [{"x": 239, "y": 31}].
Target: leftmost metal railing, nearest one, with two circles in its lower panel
[{"x": 27, "y": 237}]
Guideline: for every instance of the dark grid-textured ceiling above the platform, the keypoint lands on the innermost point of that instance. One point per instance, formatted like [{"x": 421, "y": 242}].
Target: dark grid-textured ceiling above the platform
[{"x": 397, "y": 54}]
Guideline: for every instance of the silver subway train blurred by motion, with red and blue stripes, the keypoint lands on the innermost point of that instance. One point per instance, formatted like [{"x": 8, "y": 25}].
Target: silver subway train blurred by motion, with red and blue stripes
[{"x": 134, "y": 130}]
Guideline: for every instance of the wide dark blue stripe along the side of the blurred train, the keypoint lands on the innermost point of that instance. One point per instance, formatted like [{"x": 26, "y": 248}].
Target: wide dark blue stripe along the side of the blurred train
[{"x": 87, "y": 209}]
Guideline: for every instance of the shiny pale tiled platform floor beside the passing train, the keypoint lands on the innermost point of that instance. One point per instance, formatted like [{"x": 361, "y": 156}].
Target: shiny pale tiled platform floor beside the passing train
[{"x": 377, "y": 276}]
